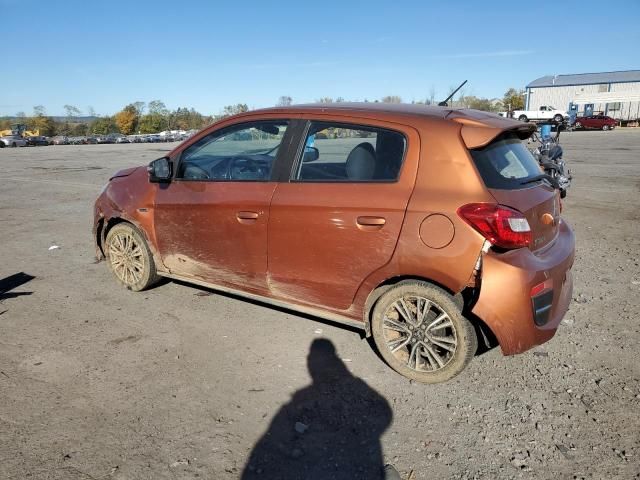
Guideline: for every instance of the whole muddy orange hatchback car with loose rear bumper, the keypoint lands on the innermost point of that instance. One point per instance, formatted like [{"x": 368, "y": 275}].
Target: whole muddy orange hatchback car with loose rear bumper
[{"x": 432, "y": 229}]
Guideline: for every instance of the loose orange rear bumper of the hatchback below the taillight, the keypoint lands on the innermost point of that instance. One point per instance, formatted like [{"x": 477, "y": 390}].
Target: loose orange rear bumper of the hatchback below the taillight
[{"x": 505, "y": 302}]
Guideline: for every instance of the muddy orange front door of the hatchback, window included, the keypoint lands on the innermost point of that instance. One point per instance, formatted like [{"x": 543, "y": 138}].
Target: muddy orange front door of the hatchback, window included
[{"x": 211, "y": 221}]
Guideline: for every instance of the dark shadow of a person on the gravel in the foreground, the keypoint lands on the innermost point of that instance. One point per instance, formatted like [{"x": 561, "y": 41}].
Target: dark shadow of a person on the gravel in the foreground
[{"x": 330, "y": 429}]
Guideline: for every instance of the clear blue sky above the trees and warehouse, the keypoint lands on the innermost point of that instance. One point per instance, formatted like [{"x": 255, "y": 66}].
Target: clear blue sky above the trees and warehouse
[{"x": 207, "y": 54}]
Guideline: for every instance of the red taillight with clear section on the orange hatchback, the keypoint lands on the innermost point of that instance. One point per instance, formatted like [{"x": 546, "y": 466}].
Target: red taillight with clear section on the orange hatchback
[{"x": 502, "y": 226}]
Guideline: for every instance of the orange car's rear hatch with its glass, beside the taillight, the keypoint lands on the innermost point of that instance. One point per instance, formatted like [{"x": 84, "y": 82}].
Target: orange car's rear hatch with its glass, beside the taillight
[{"x": 514, "y": 178}]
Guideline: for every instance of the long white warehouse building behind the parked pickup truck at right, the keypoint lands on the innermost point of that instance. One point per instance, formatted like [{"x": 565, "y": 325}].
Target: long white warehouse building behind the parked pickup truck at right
[{"x": 616, "y": 94}]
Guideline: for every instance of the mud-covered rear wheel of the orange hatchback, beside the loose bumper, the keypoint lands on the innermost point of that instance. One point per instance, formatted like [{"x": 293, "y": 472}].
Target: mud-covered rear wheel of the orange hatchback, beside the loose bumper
[{"x": 415, "y": 340}]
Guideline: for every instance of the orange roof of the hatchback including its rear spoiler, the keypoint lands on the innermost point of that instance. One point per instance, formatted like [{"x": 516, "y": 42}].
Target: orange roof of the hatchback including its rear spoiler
[{"x": 478, "y": 127}]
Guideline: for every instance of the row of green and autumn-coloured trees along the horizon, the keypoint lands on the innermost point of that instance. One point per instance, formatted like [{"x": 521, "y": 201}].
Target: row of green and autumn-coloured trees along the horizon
[{"x": 154, "y": 116}]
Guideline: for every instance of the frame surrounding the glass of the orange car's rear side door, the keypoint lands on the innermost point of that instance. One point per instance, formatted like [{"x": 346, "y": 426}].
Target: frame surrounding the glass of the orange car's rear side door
[{"x": 295, "y": 165}]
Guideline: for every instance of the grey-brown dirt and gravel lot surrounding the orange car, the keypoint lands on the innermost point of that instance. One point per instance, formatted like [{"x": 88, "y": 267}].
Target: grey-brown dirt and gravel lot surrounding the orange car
[{"x": 179, "y": 382}]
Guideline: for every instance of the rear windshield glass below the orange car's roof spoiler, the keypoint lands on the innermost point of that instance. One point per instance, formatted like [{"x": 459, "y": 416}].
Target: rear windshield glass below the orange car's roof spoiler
[{"x": 505, "y": 163}]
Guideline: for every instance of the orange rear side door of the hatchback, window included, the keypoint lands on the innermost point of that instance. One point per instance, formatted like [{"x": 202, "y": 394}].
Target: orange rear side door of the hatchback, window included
[{"x": 337, "y": 217}]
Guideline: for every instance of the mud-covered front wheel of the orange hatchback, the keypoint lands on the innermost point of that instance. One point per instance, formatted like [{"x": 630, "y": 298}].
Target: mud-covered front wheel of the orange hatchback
[{"x": 129, "y": 257}]
